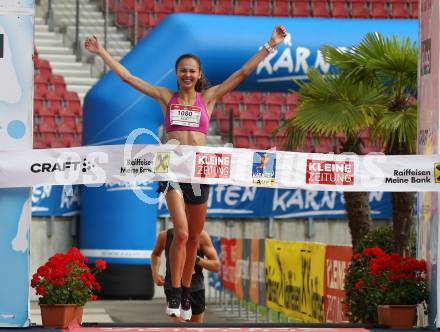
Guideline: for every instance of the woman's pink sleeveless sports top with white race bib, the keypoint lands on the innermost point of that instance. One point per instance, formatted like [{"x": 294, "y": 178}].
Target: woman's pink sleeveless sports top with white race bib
[{"x": 187, "y": 118}]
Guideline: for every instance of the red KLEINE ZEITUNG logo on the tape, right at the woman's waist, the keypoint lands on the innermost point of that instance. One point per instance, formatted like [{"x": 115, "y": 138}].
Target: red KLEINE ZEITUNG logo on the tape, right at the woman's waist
[{"x": 213, "y": 165}]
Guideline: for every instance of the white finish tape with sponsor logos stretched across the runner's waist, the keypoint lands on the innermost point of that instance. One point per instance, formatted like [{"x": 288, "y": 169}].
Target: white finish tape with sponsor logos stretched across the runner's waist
[{"x": 95, "y": 165}]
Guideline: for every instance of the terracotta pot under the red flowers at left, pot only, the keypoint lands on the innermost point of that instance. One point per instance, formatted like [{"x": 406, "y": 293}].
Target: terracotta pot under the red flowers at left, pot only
[{"x": 60, "y": 315}]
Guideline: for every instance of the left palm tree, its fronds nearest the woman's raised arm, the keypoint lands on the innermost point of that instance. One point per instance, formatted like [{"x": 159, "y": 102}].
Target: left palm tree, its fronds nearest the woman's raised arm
[{"x": 331, "y": 105}]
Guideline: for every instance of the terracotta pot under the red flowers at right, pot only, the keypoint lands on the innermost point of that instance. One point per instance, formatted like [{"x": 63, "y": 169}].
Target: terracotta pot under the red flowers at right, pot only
[{"x": 396, "y": 316}]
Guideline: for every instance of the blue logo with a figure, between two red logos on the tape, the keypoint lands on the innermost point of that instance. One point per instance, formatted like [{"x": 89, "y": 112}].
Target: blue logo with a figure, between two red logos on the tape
[{"x": 263, "y": 168}]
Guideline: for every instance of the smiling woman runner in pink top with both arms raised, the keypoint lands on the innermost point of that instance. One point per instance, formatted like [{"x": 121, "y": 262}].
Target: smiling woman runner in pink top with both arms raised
[{"x": 187, "y": 208}]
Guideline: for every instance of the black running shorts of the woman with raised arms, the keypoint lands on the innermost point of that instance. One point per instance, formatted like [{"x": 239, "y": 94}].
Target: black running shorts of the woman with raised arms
[{"x": 193, "y": 193}]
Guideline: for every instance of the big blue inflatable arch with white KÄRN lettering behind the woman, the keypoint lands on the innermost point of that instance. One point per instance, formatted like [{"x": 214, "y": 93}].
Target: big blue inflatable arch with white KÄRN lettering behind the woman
[{"x": 114, "y": 222}]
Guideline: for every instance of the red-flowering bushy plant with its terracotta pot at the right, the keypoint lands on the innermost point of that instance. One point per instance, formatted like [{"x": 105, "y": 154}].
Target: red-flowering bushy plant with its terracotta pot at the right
[{"x": 379, "y": 283}]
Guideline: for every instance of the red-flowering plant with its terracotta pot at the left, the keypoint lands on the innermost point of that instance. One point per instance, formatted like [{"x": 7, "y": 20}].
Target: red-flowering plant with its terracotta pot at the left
[{"x": 65, "y": 283}]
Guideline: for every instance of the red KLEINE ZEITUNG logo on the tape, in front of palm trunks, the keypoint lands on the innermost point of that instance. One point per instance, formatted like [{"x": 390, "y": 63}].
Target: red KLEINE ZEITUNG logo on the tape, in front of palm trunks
[{"x": 330, "y": 172}]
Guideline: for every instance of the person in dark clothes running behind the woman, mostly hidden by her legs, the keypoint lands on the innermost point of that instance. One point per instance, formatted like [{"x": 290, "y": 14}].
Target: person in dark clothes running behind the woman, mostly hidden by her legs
[{"x": 206, "y": 259}]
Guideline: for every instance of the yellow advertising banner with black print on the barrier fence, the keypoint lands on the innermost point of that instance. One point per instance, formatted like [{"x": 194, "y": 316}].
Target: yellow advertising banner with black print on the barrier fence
[{"x": 295, "y": 279}]
